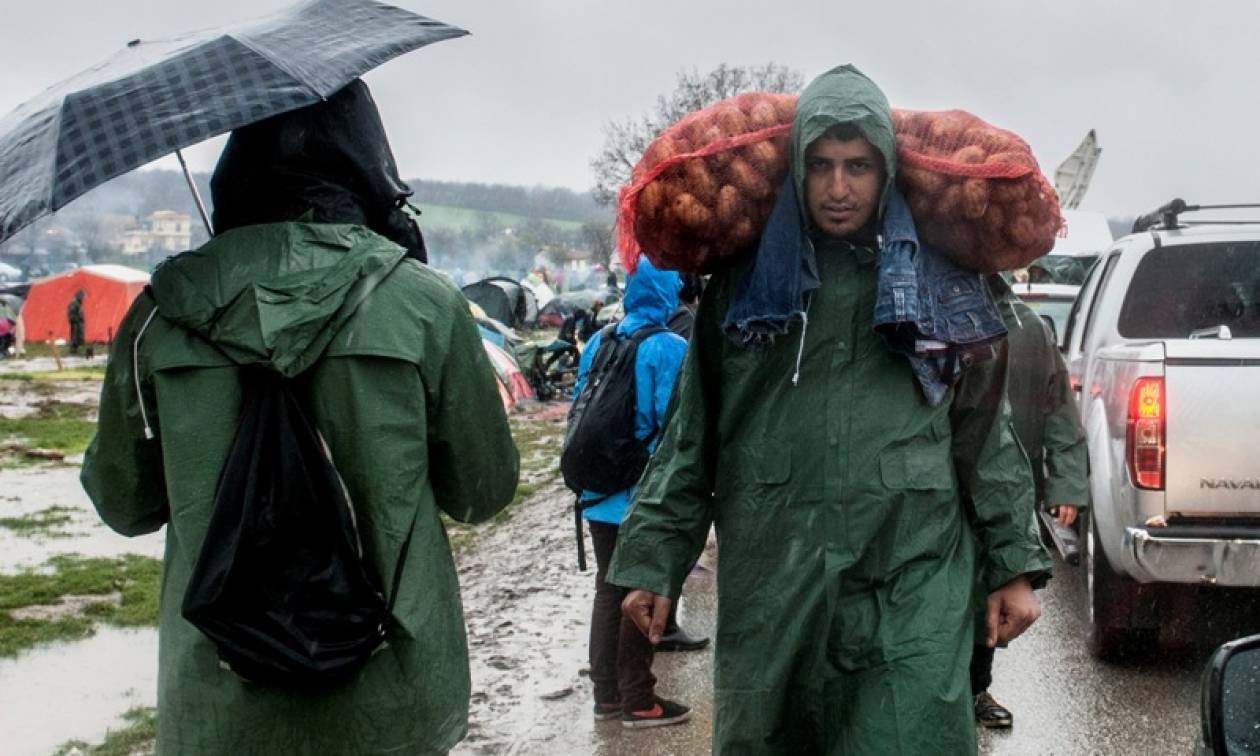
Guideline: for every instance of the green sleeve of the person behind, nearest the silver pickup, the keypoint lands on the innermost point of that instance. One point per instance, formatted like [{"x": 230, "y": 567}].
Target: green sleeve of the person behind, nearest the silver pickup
[{"x": 1067, "y": 457}]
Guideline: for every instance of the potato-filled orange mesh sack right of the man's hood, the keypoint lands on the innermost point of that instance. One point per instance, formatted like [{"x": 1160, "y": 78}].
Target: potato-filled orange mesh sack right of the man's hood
[{"x": 976, "y": 191}]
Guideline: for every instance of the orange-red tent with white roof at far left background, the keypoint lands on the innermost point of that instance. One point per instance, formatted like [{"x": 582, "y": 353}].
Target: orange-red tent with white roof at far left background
[{"x": 109, "y": 292}]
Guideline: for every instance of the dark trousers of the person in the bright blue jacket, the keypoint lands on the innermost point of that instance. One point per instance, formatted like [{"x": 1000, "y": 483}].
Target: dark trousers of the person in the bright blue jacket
[{"x": 621, "y": 655}]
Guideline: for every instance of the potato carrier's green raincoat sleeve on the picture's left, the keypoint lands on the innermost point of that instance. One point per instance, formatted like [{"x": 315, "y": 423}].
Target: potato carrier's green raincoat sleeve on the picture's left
[{"x": 671, "y": 513}]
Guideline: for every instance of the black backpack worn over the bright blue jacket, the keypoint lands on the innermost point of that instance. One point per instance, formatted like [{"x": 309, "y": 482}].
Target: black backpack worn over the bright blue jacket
[{"x": 602, "y": 453}]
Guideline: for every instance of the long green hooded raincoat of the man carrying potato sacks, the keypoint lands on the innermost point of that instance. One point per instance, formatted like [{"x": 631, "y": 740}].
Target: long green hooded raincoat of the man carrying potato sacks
[{"x": 845, "y": 508}]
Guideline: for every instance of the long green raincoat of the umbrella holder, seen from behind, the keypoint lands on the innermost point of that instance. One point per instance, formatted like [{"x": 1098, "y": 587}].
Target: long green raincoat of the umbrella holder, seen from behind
[{"x": 406, "y": 401}]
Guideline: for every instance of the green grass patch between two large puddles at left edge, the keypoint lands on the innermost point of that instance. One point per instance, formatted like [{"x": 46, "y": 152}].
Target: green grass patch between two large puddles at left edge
[{"x": 135, "y": 579}]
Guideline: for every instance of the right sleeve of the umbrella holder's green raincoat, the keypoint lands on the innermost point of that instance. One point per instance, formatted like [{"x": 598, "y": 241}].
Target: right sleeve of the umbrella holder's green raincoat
[{"x": 474, "y": 466}]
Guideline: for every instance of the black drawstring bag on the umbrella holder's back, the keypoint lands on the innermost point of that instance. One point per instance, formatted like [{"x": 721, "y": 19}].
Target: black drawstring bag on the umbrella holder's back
[{"x": 282, "y": 587}]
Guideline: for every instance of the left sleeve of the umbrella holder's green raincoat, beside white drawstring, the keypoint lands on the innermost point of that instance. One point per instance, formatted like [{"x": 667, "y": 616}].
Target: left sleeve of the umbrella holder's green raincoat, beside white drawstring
[{"x": 123, "y": 471}]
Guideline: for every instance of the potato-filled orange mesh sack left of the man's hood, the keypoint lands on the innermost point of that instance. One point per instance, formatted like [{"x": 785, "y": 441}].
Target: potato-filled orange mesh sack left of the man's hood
[{"x": 705, "y": 188}]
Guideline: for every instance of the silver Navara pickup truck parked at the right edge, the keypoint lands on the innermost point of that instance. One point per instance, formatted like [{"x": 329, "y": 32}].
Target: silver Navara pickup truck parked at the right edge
[{"x": 1164, "y": 350}]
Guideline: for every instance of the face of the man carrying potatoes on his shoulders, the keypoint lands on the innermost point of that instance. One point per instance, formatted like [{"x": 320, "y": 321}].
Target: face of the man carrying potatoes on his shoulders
[{"x": 844, "y": 181}]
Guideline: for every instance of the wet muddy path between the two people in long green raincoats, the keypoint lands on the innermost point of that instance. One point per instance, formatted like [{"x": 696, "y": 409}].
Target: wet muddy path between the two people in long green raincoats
[{"x": 529, "y": 617}]
